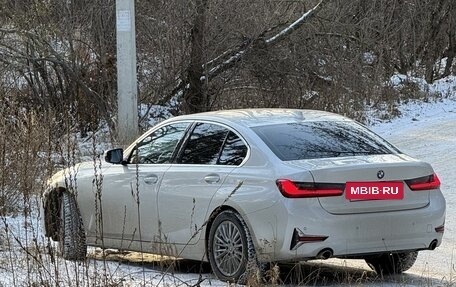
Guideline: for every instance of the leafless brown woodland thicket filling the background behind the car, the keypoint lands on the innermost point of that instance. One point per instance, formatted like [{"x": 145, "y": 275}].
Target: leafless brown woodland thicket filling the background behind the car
[{"x": 202, "y": 55}]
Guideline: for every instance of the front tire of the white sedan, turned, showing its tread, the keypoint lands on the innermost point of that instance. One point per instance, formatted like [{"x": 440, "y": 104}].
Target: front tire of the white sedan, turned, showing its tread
[{"x": 71, "y": 231}]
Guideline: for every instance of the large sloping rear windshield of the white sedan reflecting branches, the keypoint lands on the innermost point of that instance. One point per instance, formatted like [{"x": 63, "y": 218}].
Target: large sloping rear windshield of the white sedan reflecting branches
[{"x": 307, "y": 140}]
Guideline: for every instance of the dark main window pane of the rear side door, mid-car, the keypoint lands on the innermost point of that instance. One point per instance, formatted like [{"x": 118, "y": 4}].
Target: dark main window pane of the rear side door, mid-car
[{"x": 204, "y": 145}]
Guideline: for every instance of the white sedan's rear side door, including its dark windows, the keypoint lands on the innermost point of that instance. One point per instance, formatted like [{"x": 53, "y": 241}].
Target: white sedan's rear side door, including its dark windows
[{"x": 211, "y": 152}]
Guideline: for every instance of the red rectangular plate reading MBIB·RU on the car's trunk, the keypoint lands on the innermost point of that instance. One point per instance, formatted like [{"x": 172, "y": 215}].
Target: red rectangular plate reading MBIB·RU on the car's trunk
[{"x": 381, "y": 190}]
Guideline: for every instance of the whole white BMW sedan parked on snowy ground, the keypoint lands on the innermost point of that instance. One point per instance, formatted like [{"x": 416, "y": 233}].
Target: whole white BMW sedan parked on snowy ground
[{"x": 243, "y": 188}]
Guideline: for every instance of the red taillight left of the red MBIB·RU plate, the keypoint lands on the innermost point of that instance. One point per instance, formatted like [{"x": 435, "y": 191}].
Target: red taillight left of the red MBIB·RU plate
[{"x": 293, "y": 189}]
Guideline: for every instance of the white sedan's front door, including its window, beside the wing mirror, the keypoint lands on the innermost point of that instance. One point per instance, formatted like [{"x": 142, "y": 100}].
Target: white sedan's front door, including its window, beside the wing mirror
[{"x": 129, "y": 205}]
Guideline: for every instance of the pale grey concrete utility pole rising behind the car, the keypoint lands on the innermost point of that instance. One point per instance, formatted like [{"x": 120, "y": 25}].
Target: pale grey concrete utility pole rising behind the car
[{"x": 127, "y": 99}]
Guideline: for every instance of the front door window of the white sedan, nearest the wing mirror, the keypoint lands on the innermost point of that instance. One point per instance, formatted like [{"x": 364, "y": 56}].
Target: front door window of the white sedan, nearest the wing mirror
[{"x": 159, "y": 146}]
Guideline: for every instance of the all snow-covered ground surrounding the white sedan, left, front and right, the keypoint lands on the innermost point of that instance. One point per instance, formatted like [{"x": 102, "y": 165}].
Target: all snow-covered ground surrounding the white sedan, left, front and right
[{"x": 425, "y": 130}]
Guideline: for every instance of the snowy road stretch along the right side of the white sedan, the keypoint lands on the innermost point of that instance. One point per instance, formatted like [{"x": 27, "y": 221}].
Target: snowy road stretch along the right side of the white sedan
[{"x": 428, "y": 132}]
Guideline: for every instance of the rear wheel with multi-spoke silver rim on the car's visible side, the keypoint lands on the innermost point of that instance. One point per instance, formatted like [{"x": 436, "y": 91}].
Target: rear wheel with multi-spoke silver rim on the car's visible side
[{"x": 231, "y": 251}]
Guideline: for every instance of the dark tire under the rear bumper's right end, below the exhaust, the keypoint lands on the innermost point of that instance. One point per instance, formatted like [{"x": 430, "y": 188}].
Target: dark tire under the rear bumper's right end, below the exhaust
[{"x": 392, "y": 263}]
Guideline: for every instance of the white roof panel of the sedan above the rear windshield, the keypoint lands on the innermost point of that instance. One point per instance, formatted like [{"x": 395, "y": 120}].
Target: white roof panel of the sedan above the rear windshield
[{"x": 261, "y": 117}]
